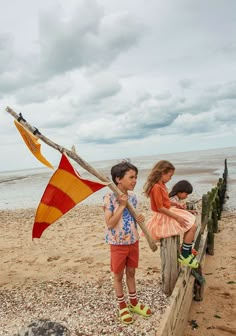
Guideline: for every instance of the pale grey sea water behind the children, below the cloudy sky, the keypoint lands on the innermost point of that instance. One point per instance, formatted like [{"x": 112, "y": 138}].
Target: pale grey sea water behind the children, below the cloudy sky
[{"x": 24, "y": 188}]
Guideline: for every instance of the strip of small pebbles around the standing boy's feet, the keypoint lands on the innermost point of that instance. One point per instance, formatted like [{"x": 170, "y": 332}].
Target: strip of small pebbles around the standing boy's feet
[{"x": 80, "y": 308}]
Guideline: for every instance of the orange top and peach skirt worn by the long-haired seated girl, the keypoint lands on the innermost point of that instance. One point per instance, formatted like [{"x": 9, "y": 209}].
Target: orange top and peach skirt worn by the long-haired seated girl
[{"x": 160, "y": 225}]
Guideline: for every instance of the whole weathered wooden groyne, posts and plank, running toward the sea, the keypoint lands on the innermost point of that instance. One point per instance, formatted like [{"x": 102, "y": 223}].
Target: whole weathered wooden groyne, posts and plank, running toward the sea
[{"x": 190, "y": 283}]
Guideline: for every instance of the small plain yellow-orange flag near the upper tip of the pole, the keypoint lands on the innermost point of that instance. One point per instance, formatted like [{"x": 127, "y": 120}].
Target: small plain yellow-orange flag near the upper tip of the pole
[{"x": 32, "y": 143}]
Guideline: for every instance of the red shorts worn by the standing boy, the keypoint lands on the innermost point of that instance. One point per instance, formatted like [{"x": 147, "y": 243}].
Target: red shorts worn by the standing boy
[{"x": 124, "y": 255}]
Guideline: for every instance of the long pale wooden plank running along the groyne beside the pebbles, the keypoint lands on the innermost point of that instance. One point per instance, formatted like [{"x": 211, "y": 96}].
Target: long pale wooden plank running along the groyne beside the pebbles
[{"x": 175, "y": 317}]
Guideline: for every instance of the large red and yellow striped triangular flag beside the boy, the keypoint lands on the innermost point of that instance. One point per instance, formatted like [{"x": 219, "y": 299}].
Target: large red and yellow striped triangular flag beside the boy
[{"x": 65, "y": 189}]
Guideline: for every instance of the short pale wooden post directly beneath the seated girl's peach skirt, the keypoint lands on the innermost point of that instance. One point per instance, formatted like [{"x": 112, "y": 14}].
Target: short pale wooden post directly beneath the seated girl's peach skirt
[{"x": 169, "y": 263}]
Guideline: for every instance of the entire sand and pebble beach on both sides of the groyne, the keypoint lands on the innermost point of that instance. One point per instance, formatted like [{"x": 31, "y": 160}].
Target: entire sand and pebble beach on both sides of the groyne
[{"x": 65, "y": 276}]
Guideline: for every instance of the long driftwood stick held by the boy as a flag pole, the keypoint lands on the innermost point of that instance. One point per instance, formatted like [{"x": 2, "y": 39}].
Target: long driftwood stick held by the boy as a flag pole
[{"x": 74, "y": 156}]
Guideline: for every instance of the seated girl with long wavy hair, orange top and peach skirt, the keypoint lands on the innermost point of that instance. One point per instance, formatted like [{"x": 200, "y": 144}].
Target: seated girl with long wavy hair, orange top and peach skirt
[{"x": 168, "y": 218}]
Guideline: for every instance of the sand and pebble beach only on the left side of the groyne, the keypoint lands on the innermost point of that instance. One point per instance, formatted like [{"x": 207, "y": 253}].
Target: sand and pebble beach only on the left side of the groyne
[{"x": 65, "y": 275}]
